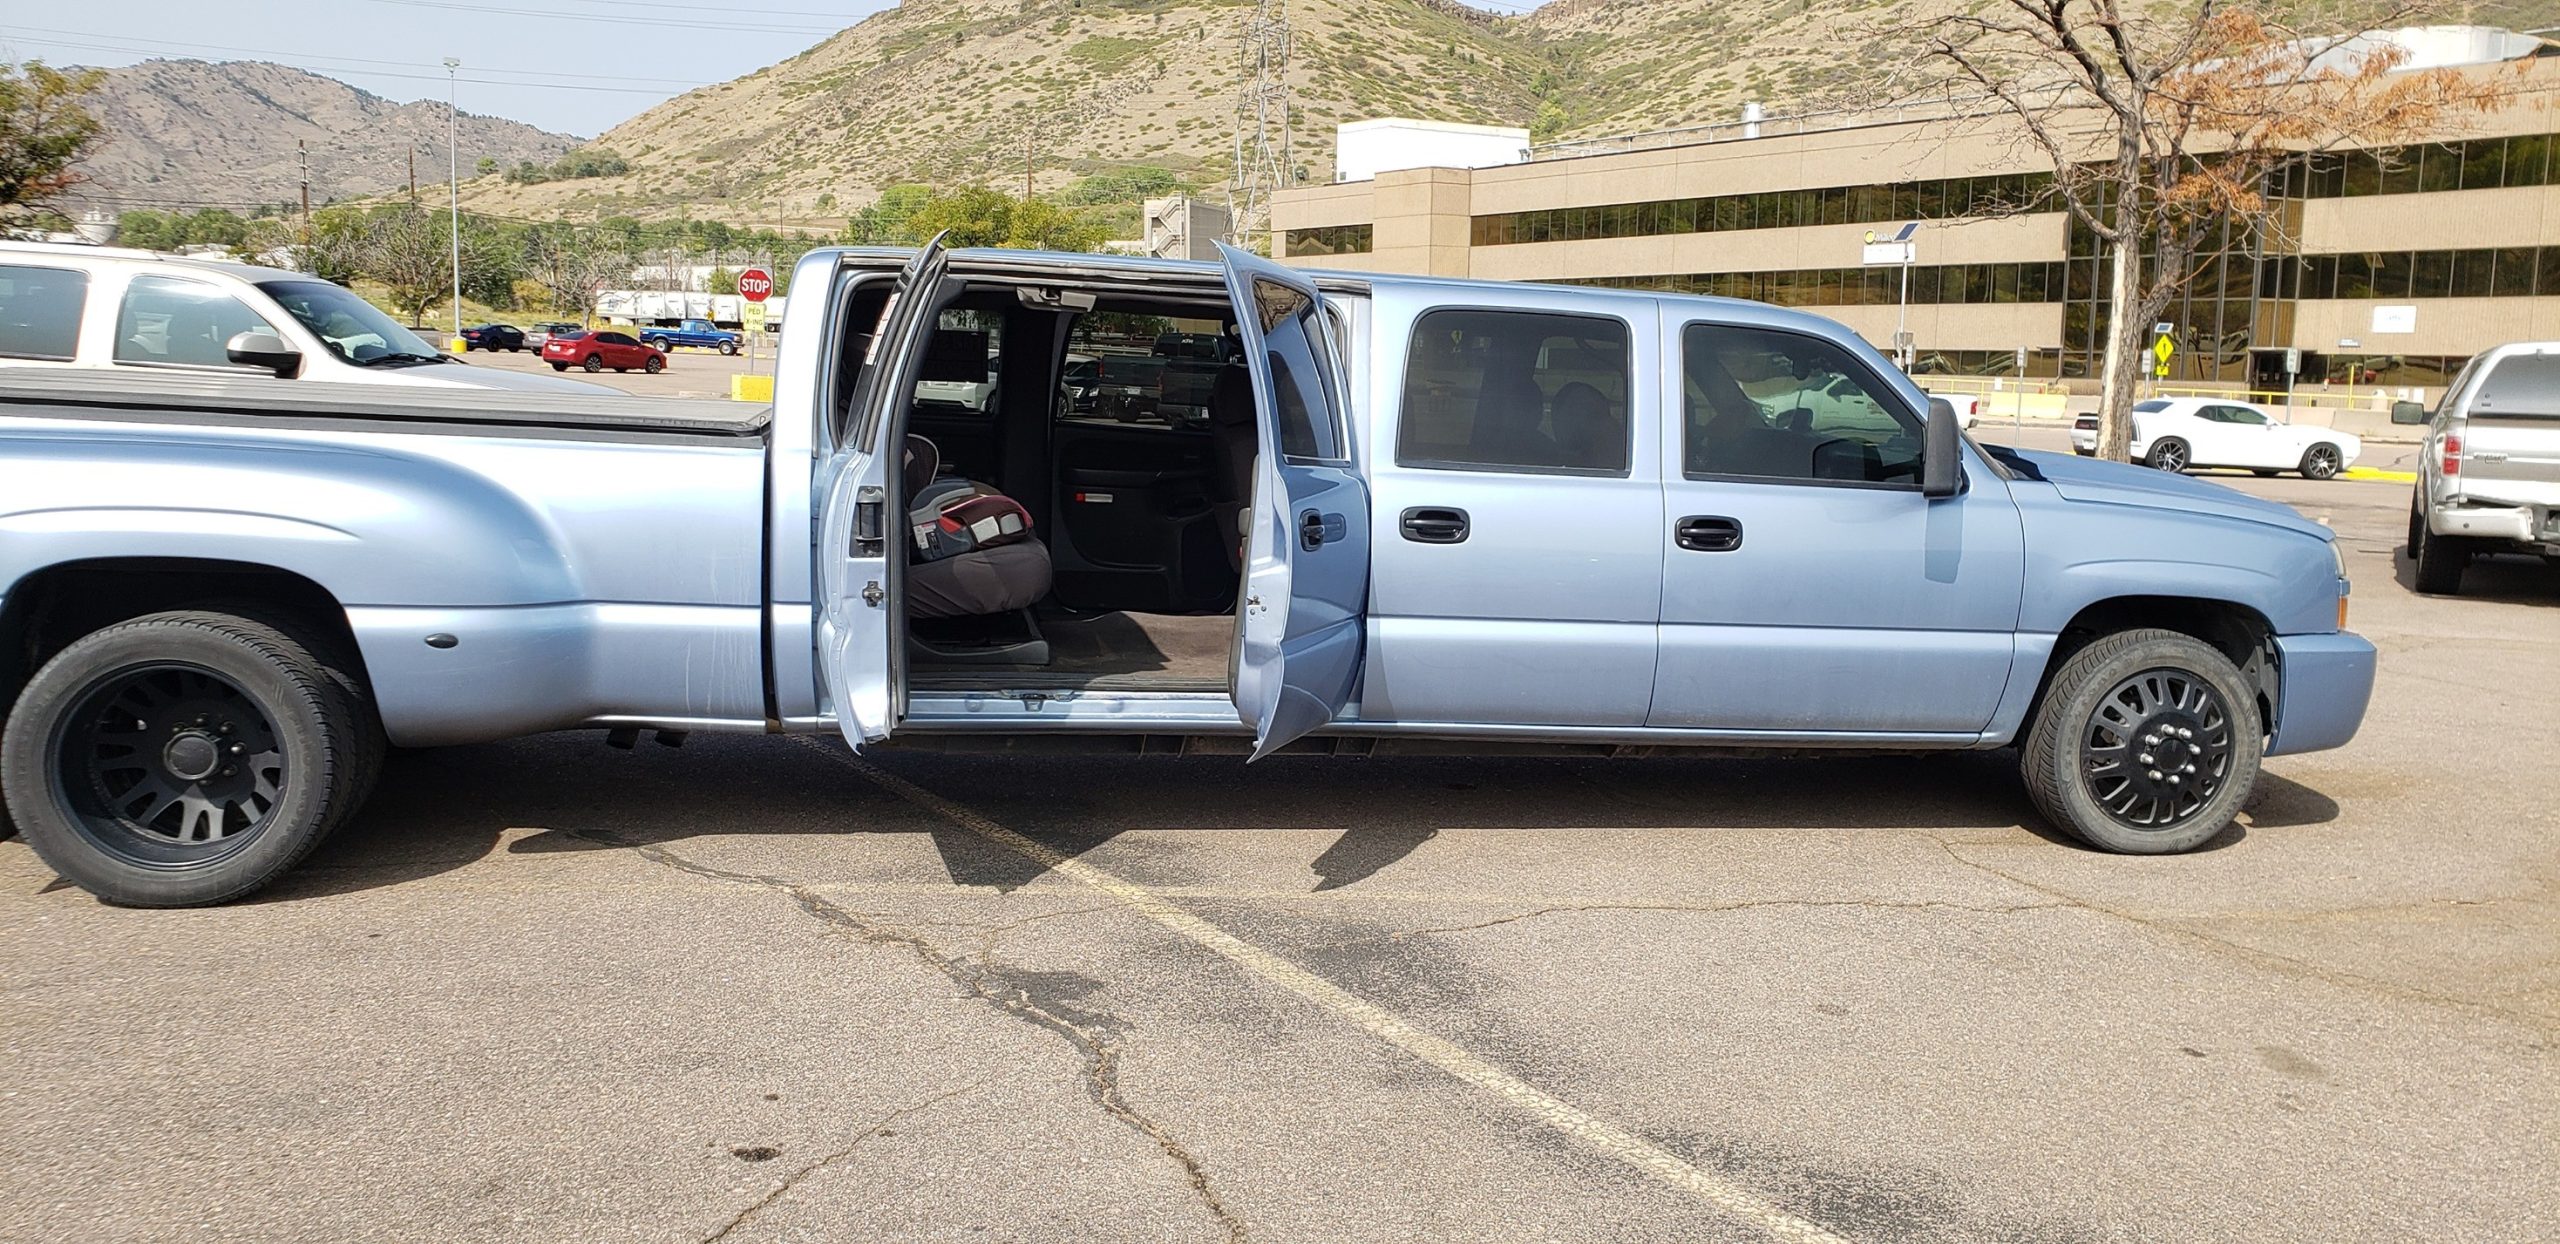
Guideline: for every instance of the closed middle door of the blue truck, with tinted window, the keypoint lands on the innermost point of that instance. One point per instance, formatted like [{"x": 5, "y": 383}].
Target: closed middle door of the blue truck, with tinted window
[{"x": 1517, "y": 570}]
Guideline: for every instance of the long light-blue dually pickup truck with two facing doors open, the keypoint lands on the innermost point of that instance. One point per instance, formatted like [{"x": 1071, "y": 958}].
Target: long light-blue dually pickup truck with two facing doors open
[{"x": 1460, "y": 513}]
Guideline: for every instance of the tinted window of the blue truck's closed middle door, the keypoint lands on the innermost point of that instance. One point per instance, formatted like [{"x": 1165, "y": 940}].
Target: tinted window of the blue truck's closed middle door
[{"x": 1517, "y": 393}]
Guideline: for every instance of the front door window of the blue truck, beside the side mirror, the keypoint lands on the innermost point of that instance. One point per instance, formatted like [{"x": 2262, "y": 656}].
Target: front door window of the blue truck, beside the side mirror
[{"x": 1780, "y": 406}]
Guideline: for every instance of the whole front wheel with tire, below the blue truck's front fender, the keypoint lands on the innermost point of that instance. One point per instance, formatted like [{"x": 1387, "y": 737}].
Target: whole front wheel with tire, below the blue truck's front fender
[{"x": 2147, "y": 744}]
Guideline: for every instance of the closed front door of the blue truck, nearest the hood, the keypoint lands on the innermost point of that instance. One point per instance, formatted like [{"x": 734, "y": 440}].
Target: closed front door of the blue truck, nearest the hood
[{"x": 1809, "y": 585}]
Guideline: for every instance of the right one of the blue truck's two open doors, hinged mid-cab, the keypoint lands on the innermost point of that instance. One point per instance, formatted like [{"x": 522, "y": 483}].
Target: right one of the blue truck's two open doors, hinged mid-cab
[{"x": 1307, "y": 564}]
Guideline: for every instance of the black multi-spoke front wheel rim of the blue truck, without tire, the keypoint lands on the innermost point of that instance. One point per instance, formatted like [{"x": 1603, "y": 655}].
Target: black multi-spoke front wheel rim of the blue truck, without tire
[{"x": 2157, "y": 749}]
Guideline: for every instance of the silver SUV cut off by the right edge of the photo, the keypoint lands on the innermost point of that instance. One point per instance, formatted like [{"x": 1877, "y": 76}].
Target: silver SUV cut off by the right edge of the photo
[{"x": 2490, "y": 472}]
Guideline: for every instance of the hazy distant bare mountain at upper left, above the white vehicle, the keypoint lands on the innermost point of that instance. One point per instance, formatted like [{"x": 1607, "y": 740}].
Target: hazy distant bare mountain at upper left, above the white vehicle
[{"x": 224, "y": 134}]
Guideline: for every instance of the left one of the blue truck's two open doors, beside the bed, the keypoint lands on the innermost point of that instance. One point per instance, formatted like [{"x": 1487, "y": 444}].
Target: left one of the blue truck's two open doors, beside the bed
[{"x": 859, "y": 567}]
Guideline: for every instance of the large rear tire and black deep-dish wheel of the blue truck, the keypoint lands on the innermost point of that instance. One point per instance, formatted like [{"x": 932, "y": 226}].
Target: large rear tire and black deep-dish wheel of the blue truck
[{"x": 178, "y": 759}]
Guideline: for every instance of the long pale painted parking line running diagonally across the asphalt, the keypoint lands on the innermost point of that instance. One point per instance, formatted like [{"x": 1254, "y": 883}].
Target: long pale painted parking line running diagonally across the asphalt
[{"x": 1578, "y": 1125}]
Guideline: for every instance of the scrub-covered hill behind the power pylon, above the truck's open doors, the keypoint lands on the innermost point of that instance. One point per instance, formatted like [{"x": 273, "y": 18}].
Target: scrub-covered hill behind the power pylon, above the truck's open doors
[{"x": 961, "y": 91}]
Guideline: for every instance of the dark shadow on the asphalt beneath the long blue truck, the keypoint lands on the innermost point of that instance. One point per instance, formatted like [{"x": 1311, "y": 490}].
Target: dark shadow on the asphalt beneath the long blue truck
[{"x": 449, "y": 810}]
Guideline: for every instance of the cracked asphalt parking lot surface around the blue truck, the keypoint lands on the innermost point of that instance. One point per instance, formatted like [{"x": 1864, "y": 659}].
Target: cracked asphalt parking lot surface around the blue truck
[{"x": 762, "y": 989}]
